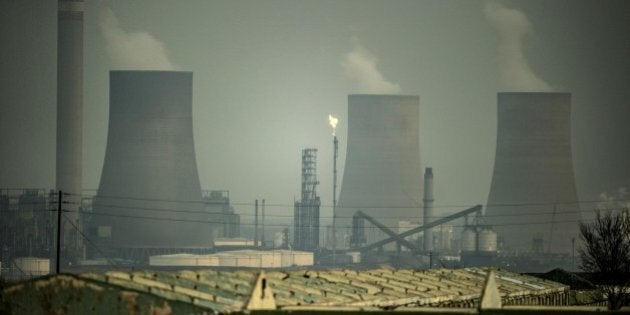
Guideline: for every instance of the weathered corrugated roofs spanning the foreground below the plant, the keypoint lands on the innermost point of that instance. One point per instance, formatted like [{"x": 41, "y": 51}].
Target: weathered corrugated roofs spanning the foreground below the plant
[{"x": 230, "y": 291}]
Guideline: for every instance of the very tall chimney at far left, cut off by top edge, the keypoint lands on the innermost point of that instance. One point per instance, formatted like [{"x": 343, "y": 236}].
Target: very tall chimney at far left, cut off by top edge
[{"x": 70, "y": 102}]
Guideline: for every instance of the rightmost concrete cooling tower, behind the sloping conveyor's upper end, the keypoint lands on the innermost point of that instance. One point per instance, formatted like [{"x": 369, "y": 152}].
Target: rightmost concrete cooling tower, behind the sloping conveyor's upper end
[{"x": 533, "y": 201}]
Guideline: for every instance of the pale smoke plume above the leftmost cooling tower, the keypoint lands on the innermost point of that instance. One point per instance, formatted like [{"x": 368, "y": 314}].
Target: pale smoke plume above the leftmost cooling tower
[{"x": 137, "y": 50}]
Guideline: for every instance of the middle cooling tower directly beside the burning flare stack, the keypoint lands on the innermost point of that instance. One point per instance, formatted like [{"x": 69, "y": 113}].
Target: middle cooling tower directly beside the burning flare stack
[{"x": 382, "y": 175}]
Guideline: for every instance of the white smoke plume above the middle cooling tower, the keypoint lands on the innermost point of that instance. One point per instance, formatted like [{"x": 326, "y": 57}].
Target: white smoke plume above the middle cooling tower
[{"x": 360, "y": 66}]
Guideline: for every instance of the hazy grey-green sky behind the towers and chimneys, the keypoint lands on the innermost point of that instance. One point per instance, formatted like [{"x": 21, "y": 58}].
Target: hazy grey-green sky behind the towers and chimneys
[{"x": 268, "y": 73}]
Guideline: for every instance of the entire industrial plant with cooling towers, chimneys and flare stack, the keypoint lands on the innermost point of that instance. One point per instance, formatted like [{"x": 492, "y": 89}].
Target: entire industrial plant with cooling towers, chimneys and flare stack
[{"x": 150, "y": 208}]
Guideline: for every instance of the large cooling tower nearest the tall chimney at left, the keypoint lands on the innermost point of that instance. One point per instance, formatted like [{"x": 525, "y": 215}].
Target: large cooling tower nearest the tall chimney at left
[{"x": 149, "y": 194}]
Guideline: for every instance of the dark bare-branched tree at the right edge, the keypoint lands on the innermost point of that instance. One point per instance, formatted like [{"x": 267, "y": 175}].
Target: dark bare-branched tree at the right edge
[{"x": 606, "y": 254}]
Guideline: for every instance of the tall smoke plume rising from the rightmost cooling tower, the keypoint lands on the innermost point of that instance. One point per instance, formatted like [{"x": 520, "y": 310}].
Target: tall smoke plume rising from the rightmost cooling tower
[{"x": 513, "y": 25}]
